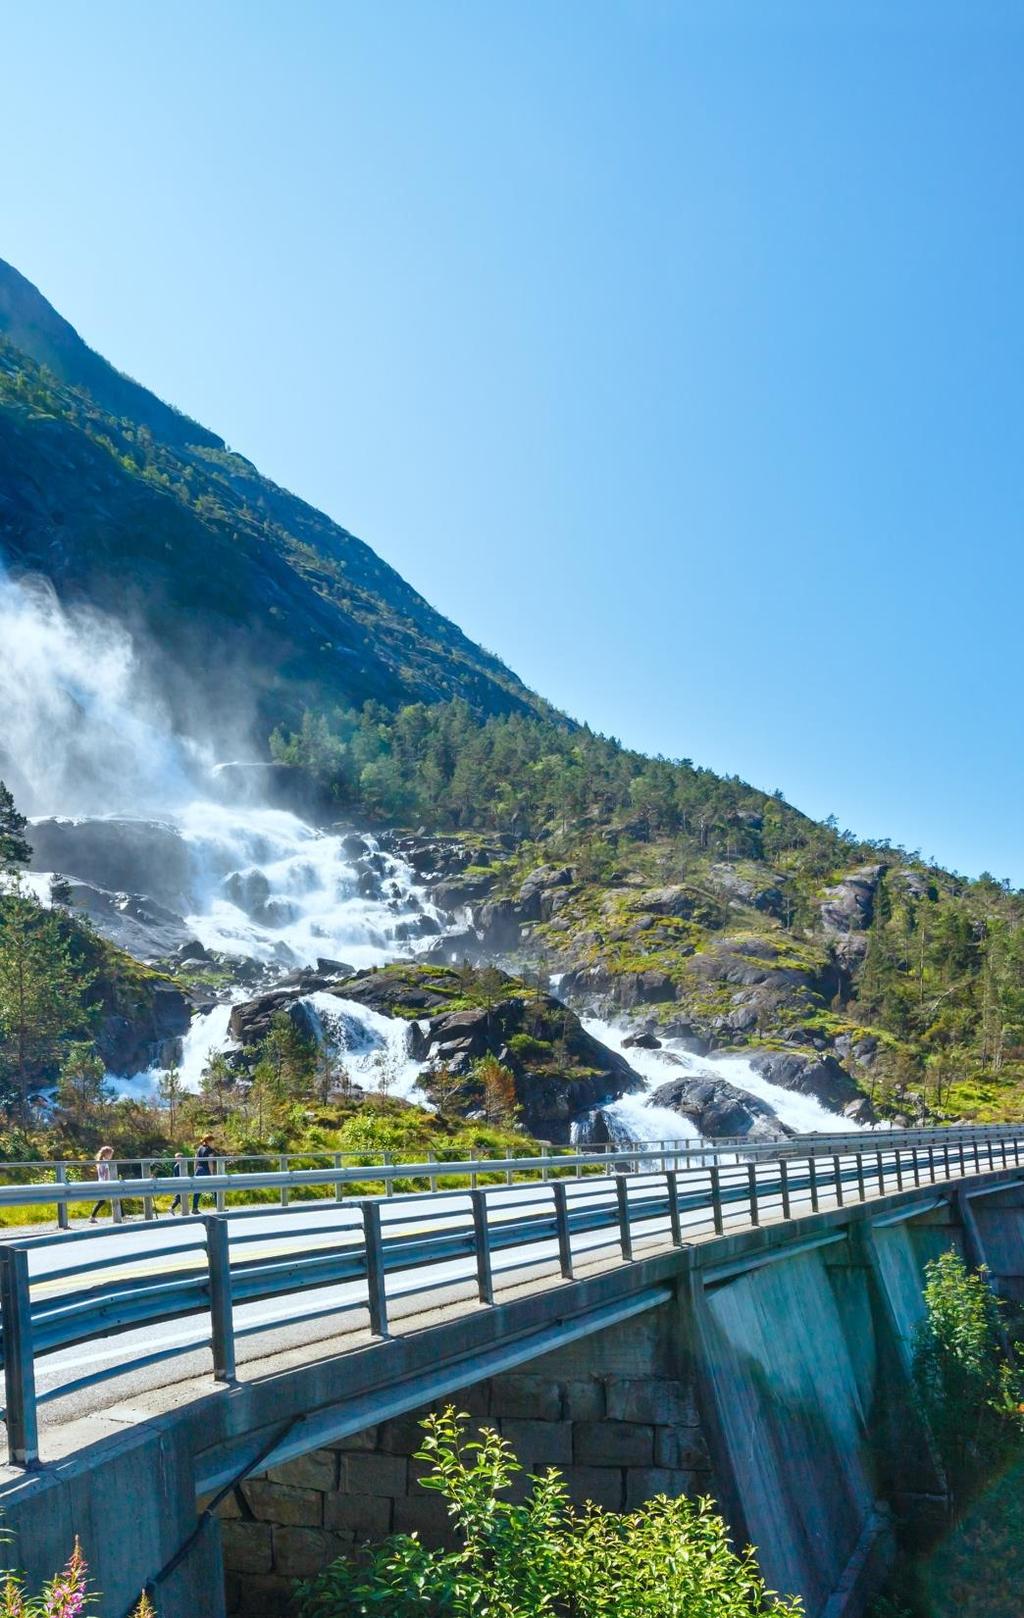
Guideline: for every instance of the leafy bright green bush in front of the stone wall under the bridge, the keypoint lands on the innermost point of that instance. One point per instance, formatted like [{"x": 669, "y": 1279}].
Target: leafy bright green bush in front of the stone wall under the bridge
[{"x": 541, "y": 1559}]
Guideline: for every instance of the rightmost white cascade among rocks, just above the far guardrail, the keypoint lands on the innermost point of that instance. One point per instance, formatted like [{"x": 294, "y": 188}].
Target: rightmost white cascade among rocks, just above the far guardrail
[{"x": 643, "y": 1122}]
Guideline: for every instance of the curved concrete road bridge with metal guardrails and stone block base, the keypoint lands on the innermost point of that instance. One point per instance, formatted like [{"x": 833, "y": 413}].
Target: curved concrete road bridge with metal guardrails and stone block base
[{"x": 734, "y": 1318}]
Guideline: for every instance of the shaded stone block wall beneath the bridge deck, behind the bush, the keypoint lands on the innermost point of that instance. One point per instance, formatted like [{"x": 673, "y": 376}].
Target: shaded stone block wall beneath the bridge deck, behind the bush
[{"x": 607, "y": 1413}]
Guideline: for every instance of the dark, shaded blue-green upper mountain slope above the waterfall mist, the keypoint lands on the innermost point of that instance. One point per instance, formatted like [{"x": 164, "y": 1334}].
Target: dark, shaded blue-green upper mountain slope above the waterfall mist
[{"x": 224, "y": 577}]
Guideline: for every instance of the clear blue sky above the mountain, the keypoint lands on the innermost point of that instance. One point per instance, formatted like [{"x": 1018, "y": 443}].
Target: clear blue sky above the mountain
[{"x": 675, "y": 350}]
